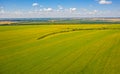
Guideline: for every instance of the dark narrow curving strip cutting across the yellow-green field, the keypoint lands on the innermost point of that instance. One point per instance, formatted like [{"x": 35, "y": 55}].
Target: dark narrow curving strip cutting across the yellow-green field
[{"x": 75, "y": 29}]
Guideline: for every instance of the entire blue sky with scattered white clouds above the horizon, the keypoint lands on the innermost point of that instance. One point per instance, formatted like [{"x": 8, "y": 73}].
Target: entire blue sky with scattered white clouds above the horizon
[{"x": 59, "y": 8}]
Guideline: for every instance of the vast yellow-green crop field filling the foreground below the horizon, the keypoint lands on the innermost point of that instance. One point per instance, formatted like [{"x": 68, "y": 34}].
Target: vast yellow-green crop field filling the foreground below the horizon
[{"x": 60, "y": 49}]
